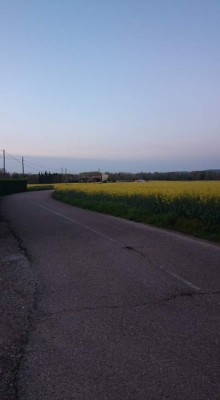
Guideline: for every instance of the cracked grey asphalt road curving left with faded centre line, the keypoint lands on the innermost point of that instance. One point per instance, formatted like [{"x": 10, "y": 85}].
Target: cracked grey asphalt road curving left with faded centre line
[{"x": 122, "y": 310}]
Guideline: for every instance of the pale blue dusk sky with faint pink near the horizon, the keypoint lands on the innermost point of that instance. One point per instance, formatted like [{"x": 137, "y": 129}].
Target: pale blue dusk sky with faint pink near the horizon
[{"x": 111, "y": 84}]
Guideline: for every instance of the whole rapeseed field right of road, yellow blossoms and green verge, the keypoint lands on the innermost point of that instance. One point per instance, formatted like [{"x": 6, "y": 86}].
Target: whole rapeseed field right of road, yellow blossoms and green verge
[{"x": 189, "y": 207}]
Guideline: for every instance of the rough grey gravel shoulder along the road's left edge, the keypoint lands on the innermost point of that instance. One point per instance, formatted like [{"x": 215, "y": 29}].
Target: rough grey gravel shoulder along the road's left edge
[{"x": 17, "y": 288}]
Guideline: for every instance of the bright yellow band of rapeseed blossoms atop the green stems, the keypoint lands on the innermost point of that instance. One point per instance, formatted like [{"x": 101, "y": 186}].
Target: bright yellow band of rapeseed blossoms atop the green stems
[{"x": 166, "y": 188}]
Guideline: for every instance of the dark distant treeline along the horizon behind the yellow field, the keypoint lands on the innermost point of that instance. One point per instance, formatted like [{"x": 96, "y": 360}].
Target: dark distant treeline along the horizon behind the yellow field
[{"x": 96, "y": 176}]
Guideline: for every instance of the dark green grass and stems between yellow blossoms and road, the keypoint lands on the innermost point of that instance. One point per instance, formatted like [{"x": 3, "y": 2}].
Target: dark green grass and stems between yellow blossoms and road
[{"x": 189, "y": 214}]
